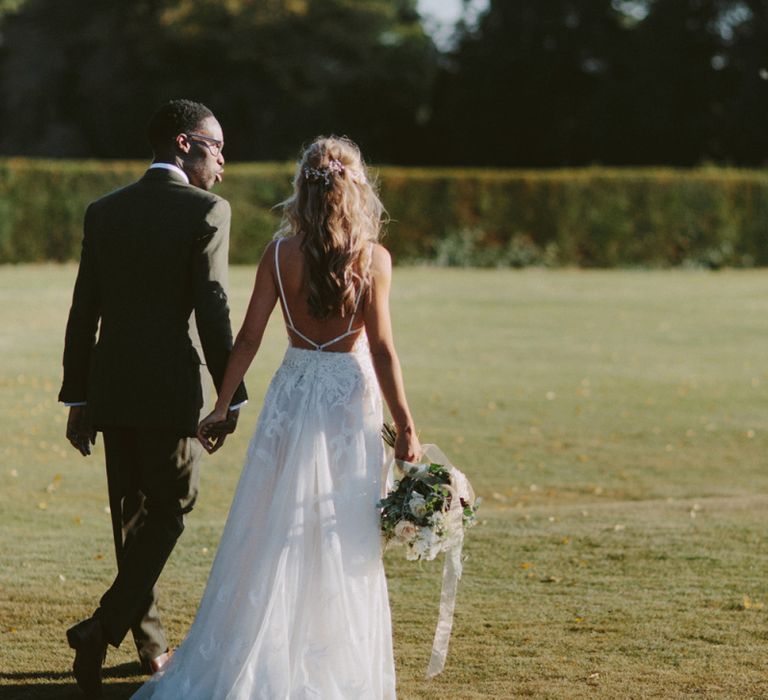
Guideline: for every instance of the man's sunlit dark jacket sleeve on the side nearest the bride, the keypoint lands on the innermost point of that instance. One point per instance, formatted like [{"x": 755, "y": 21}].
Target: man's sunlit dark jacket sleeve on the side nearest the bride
[{"x": 211, "y": 305}]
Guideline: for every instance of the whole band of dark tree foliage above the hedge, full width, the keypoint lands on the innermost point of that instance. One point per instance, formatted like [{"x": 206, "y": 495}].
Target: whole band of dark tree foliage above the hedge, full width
[{"x": 531, "y": 83}]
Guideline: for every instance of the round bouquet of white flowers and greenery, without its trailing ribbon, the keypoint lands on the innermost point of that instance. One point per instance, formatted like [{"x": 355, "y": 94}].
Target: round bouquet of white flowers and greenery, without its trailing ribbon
[{"x": 429, "y": 507}]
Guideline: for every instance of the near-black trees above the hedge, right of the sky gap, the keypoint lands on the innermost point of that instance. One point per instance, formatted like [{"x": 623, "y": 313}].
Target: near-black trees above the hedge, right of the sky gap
[{"x": 570, "y": 82}]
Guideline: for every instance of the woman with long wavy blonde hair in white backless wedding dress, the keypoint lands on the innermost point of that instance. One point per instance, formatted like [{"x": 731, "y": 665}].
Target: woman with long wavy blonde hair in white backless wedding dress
[{"x": 296, "y": 602}]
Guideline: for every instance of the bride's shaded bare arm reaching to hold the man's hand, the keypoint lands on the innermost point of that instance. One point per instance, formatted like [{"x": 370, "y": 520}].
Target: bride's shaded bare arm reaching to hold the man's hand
[{"x": 263, "y": 300}]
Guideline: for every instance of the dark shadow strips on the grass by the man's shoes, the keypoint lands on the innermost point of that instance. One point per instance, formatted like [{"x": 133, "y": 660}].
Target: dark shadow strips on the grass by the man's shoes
[{"x": 50, "y": 685}]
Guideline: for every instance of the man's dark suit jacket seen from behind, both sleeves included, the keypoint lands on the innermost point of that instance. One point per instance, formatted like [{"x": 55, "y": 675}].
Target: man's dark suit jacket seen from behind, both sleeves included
[{"x": 152, "y": 253}]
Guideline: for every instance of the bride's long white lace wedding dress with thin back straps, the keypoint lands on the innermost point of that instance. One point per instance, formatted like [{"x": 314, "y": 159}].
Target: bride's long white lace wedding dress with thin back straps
[{"x": 296, "y": 603}]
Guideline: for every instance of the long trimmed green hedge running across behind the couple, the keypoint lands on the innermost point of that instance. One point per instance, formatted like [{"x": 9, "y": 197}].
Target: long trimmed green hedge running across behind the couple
[{"x": 587, "y": 217}]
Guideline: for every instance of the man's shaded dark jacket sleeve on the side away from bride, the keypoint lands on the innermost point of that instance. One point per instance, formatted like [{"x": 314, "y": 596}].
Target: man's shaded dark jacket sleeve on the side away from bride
[{"x": 83, "y": 322}]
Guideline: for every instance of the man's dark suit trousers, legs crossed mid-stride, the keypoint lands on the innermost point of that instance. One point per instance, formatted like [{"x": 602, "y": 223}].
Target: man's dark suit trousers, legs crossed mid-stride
[{"x": 152, "y": 477}]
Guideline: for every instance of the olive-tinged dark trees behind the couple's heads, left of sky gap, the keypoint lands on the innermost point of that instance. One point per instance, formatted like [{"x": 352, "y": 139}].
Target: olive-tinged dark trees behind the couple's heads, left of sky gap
[{"x": 86, "y": 74}]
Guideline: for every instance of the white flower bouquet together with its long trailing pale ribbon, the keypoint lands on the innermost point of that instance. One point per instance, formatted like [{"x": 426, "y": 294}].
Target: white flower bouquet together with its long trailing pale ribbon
[{"x": 427, "y": 510}]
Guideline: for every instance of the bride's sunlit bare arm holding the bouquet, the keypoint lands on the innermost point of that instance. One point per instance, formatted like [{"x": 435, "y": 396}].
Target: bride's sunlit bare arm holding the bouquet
[{"x": 378, "y": 326}]
